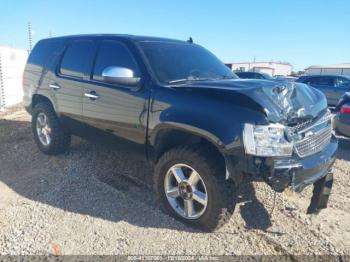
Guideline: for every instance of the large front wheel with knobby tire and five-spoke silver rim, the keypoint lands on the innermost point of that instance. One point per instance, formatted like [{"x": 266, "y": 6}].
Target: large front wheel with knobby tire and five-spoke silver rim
[{"x": 190, "y": 185}]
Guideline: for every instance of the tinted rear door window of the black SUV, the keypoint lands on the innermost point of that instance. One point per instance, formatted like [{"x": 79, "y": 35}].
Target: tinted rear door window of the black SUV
[{"x": 77, "y": 58}]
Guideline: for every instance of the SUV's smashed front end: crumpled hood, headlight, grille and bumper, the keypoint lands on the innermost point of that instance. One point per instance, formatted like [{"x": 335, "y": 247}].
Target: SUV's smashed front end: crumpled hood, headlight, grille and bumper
[{"x": 292, "y": 145}]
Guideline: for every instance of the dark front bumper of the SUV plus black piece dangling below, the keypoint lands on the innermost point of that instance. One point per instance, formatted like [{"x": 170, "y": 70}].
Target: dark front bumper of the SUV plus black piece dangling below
[{"x": 293, "y": 172}]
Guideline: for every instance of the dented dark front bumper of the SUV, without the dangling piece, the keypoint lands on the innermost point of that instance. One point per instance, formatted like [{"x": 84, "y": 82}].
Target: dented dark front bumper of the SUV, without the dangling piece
[{"x": 281, "y": 173}]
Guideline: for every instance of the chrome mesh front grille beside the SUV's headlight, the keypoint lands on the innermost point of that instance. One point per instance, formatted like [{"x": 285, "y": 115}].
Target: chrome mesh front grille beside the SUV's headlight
[{"x": 314, "y": 138}]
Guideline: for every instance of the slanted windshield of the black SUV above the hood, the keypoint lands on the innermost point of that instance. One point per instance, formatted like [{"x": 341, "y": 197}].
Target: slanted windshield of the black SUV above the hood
[{"x": 178, "y": 62}]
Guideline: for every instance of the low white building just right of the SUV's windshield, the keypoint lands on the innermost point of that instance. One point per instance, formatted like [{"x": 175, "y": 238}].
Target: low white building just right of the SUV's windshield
[{"x": 271, "y": 68}]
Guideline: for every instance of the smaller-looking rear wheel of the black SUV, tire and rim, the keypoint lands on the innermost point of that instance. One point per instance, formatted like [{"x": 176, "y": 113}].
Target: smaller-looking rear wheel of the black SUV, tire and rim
[{"x": 49, "y": 134}]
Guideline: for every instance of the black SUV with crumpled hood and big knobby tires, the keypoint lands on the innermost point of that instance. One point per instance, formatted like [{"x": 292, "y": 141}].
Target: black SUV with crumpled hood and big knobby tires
[{"x": 175, "y": 103}]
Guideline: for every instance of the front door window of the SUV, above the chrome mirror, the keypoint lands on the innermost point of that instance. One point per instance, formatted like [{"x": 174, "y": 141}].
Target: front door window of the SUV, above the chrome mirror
[{"x": 113, "y": 53}]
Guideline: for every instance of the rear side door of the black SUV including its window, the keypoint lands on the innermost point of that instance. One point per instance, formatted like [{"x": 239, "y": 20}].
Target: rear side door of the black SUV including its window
[{"x": 66, "y": 85}]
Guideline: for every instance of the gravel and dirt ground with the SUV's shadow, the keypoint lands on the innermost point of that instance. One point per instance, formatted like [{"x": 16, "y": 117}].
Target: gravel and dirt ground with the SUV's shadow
[{"x": 95, "y": 200}]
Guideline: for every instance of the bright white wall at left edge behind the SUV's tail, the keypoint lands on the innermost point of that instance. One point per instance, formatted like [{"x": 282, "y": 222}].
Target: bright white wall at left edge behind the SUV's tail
[{"x": 12, "y": 63}]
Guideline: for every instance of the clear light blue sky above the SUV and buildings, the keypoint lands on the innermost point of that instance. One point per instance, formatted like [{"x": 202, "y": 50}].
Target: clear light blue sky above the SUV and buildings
[{"x": 300, "y": 32}]
